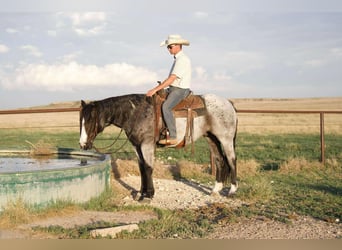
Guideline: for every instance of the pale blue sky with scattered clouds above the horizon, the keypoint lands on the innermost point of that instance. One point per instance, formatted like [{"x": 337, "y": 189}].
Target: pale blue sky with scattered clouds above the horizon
[{"x": 92, "y": 50}]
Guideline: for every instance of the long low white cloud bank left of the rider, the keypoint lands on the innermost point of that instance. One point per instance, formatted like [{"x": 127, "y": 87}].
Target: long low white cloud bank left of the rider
[{"x": 72, "y": 75}]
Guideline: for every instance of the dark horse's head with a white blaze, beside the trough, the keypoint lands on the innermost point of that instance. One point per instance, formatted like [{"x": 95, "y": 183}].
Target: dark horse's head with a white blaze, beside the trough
[{"x": 90, "y": 124}]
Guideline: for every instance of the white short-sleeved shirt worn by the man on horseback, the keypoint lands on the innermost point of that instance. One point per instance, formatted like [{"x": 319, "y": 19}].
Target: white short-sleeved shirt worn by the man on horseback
[{"x": 182, "y": 69}]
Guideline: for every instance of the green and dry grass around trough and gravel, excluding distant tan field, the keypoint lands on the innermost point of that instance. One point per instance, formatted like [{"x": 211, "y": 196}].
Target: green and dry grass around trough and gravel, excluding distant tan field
[{"x": 279, "y": 178}]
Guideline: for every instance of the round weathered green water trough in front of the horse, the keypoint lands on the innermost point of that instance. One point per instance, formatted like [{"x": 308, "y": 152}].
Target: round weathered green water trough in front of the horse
[{"x": 66, "y": 175}]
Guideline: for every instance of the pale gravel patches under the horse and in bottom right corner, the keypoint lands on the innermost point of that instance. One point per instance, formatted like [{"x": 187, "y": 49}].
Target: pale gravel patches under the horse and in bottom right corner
[{"x": 185, "y": 194}]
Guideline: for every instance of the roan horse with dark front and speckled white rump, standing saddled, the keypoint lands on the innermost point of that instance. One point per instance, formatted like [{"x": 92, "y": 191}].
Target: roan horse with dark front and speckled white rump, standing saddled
[{"x": 135, "y": 115}]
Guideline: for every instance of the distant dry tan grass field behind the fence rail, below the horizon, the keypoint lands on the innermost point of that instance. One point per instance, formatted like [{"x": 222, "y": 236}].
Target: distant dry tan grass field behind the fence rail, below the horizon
[{"x": 251, "y": 123}]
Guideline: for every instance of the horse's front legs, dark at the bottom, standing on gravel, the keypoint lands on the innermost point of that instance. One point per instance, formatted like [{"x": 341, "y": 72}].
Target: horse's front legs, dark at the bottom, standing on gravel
[{"x": 145, "y": 154}]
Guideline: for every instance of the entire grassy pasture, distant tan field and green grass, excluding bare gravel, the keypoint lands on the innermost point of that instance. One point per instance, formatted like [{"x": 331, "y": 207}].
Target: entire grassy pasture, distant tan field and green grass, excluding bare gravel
[{"x": 278, "y": 166}]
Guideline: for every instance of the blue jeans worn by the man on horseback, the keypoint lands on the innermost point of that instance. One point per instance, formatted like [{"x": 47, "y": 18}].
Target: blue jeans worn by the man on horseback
[{"x": 176, "y": 95}]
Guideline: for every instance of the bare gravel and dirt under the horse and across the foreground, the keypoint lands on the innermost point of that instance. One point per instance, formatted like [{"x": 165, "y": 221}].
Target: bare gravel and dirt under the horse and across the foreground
[{"x": 185, "y": 194}]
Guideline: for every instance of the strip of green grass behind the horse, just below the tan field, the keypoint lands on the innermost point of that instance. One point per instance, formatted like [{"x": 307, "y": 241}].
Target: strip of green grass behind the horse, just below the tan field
[{"x": 268, "y": 150}]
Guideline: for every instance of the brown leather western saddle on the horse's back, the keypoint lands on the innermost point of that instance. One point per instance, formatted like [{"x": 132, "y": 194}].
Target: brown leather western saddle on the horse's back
[{"x": 190, "y": 107}]
